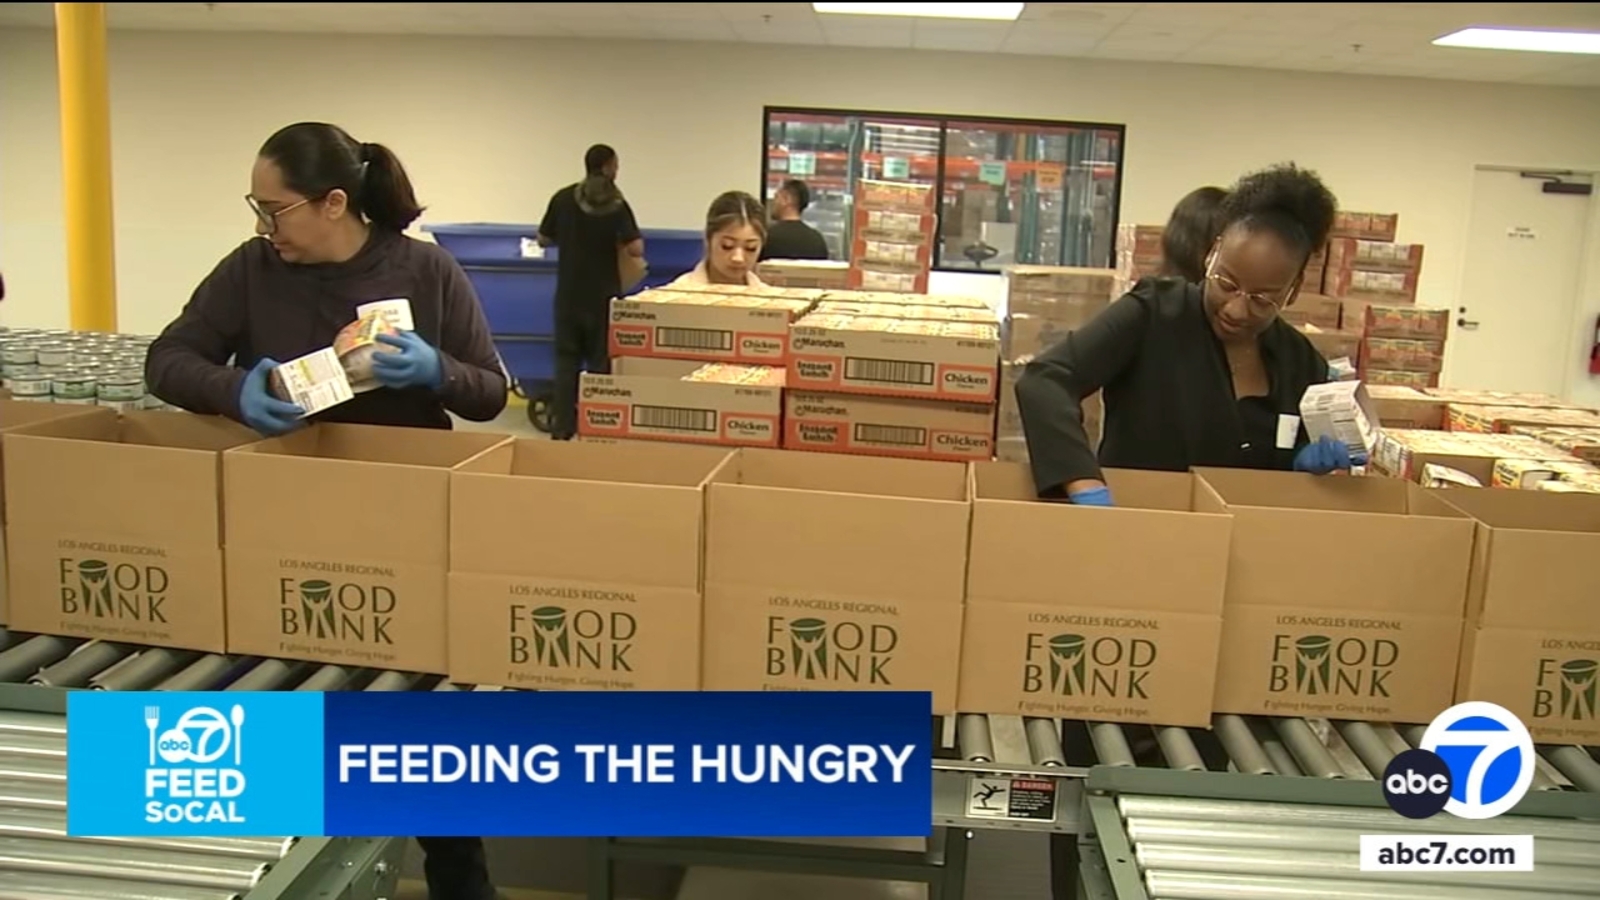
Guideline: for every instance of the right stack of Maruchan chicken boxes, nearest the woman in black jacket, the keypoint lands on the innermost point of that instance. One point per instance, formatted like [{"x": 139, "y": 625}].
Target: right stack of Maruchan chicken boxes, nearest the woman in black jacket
[{"x": 894, "y": 376}]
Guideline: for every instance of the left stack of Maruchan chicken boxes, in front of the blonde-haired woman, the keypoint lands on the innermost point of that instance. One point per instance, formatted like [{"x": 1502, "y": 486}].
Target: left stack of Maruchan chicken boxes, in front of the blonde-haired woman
[{"x": 702, "y": 366}]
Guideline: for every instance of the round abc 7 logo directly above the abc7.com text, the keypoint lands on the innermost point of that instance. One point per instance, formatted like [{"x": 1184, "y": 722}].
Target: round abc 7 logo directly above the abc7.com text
[{"x": 1476, "y": 761}]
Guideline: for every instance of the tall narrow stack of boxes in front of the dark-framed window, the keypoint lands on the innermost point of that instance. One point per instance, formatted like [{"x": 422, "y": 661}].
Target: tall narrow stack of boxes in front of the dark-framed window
[{"x": 895, "y": 231}]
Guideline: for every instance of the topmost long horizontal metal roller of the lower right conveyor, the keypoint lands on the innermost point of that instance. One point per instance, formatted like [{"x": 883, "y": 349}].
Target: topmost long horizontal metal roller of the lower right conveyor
[{"x": 1359, "y": 819}]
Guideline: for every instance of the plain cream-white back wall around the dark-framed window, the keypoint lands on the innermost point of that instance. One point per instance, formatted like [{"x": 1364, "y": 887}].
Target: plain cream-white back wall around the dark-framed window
[{"x": 490, "y": 127}]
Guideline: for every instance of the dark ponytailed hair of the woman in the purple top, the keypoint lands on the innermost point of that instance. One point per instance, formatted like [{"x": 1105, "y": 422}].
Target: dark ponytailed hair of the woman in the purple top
[{"x": 318, "y": 159}]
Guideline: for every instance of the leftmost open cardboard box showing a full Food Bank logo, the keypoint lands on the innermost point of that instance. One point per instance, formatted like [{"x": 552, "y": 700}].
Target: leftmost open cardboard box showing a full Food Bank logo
[{"x": 89, "y": 558}]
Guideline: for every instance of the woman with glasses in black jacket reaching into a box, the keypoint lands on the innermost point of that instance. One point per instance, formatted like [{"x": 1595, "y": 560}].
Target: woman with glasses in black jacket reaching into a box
[{"x": 1194, "y": 374}]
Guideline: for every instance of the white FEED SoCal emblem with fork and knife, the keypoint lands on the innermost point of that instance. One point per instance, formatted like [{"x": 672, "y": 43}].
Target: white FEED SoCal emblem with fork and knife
[{"x": 188, "y": 777}]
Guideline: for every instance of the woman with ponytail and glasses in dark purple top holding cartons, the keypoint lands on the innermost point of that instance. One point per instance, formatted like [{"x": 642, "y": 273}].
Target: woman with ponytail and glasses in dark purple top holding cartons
[{"x": 330, "y": 220}]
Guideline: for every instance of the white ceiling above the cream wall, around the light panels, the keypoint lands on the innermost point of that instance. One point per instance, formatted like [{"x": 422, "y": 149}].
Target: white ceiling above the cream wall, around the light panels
[{"x": 1377, "y": 39}]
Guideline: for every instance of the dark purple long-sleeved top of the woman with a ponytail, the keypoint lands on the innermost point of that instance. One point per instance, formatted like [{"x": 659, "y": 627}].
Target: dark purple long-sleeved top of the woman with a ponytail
[{"x": 255, "y": 305}]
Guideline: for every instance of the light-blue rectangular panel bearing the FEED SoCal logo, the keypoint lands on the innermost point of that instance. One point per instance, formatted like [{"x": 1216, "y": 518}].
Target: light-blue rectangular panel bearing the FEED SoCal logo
[{"x": 194, "y": 765}]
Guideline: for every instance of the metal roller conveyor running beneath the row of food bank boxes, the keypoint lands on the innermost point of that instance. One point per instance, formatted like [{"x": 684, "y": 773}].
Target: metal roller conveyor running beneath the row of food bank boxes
[{"x": 1268, "y": 805}]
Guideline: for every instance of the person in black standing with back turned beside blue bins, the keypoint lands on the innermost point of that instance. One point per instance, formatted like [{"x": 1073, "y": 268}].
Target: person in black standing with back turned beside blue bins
[{"x": 590, "y": 223}]
